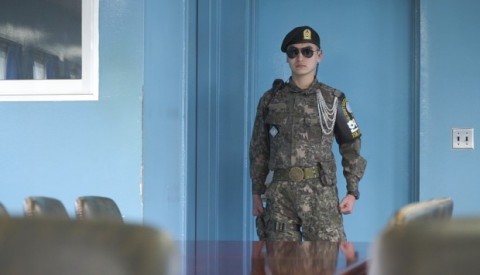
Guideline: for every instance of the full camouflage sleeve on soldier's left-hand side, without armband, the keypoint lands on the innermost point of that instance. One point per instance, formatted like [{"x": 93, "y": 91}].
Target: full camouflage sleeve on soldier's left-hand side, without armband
[{"x": 259, "y": 148}]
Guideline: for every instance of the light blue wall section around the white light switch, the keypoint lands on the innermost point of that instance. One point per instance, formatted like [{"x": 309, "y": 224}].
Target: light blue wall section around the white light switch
[{"x": 449, "y": 97}]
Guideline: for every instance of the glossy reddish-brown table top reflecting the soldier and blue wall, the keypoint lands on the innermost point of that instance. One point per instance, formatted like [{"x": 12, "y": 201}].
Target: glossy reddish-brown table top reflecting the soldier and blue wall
[{"x": 258, "y": 258}]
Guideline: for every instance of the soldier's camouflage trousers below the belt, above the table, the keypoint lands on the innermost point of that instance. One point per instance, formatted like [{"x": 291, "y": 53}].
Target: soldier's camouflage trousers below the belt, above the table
[{"x": 303, "y": 210}]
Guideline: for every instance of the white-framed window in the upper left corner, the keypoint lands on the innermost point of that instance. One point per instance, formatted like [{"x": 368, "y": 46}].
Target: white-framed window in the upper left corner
[{"x": 39, "y": 66}]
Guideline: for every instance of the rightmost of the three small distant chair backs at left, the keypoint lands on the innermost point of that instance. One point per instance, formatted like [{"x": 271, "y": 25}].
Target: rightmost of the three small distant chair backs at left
[{"x": 97, "y": 208}]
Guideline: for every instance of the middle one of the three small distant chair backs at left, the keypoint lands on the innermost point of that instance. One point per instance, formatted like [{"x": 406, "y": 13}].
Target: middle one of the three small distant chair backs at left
[{"x": 45, "y": 207}]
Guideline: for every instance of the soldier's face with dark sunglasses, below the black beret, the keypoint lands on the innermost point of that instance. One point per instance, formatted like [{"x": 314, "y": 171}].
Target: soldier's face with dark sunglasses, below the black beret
[{"x": 303, "y": 58}]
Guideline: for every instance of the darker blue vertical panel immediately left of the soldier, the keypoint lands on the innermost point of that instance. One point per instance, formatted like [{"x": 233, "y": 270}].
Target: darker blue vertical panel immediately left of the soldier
[{"x": 223, "y": 191}]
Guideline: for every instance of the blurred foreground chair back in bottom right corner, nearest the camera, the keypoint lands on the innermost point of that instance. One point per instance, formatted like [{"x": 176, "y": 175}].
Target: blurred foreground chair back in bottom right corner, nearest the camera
[{"x": 440, "y": 247}]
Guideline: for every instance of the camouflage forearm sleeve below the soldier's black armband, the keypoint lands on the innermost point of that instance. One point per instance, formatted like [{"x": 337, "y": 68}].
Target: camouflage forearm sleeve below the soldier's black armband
[{"x": 353, "y": 165}]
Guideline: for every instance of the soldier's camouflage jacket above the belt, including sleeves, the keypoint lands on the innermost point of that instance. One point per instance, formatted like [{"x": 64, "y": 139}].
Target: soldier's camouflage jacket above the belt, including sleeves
[{"x": 287, "y": 133}]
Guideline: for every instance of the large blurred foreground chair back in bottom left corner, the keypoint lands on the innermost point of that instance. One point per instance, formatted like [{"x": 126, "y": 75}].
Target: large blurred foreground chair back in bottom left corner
[{"x": 60, "y": 246}]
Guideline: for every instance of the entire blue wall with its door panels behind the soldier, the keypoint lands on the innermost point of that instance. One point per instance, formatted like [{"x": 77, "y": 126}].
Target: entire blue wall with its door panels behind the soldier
[{"x": 179, "y": 82}]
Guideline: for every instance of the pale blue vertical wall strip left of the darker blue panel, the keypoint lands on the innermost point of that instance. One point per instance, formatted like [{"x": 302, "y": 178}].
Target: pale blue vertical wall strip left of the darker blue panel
[{"x": 169, "y": 116}]
